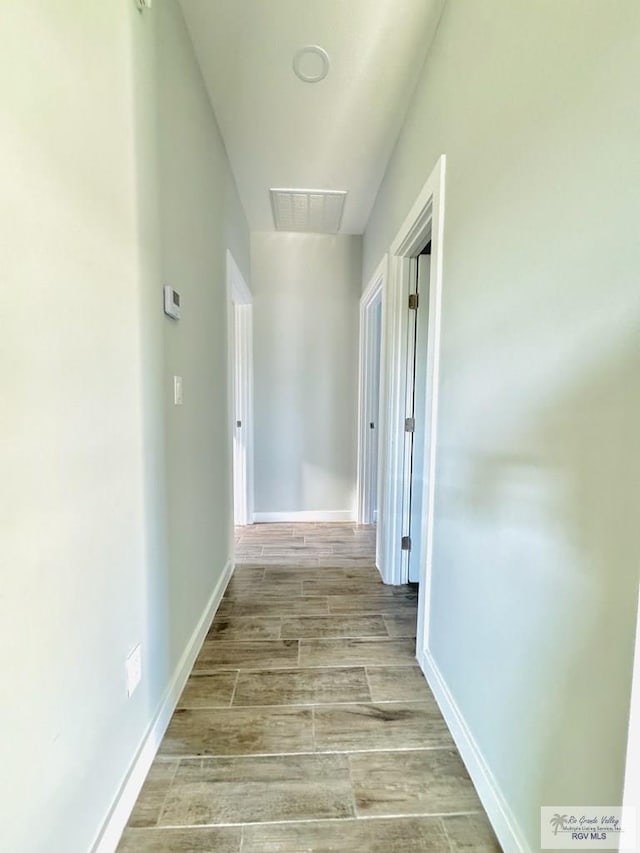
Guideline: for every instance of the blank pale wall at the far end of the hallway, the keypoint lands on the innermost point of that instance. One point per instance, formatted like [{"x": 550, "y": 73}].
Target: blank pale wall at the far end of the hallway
[{"x": 306, "y": 290}]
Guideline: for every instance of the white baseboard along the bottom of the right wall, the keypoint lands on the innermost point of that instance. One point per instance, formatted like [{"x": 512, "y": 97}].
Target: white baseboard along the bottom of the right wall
[{"x": 502, "y": 819}]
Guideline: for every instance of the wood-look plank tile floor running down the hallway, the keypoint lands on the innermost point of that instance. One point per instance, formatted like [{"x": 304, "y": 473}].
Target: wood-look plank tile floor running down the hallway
[{"x": 306, "y": 724}]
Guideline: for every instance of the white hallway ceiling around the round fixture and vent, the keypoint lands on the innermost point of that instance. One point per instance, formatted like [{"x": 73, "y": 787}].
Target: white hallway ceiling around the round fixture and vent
[{"x": 336, "y": 134}]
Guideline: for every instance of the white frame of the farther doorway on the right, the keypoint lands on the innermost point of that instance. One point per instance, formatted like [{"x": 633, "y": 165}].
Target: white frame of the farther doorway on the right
[{"x": 373, "y": 293}]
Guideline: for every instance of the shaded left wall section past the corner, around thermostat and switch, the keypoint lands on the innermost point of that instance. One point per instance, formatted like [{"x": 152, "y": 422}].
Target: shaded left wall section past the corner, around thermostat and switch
[{"x": 201, "y": 217}]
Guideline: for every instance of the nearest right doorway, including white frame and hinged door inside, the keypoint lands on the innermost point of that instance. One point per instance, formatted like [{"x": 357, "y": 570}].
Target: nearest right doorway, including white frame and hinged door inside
[{"x": 408, "y": 449}]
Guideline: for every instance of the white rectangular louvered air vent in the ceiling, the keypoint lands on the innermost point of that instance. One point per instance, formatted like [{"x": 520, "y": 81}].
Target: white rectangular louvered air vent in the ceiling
[{"x": 317, "y": 211}]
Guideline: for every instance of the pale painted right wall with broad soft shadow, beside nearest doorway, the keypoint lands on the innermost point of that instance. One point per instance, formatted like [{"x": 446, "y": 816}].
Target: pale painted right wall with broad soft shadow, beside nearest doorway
[{"x": 536, "y": 500}]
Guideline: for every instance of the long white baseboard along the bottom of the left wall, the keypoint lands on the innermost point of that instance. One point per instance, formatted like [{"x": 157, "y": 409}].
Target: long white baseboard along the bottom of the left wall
[{"x": 118, "y": 815}]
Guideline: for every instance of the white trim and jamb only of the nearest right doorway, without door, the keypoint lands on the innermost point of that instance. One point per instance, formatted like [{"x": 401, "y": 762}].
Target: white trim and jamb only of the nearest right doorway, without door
[{"x": 425, "y": 219}]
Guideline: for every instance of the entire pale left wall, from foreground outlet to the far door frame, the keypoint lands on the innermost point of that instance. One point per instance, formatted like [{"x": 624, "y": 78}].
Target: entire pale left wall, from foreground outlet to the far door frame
[{"x": 115, "y": 524}]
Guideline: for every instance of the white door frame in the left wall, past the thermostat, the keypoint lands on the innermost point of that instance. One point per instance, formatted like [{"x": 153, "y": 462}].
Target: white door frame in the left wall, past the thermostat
[{"x": 240, "y": 305}]
